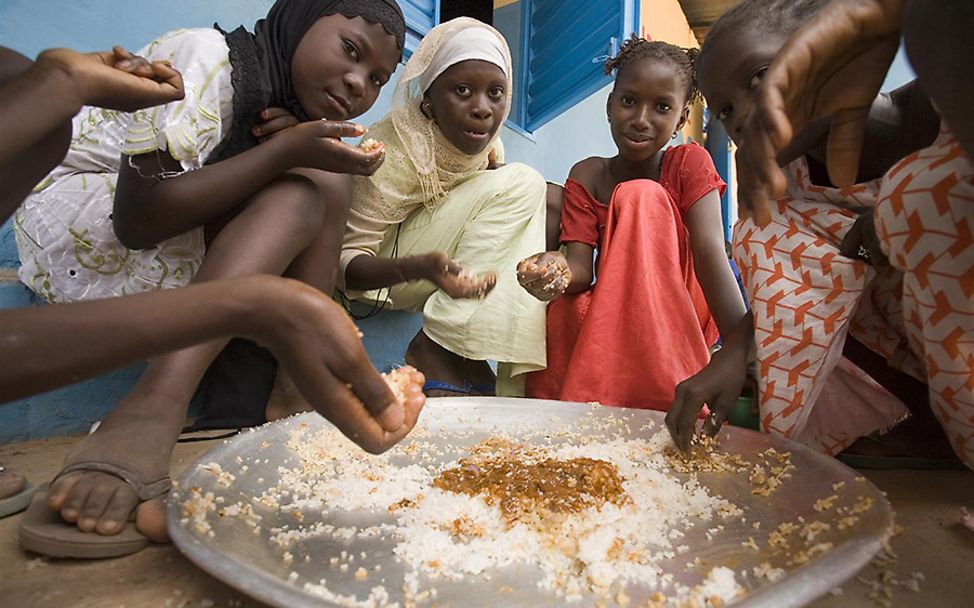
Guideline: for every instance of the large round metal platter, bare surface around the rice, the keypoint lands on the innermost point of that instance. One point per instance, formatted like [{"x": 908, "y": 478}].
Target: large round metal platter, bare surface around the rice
[{"x": 233, "y": 553}]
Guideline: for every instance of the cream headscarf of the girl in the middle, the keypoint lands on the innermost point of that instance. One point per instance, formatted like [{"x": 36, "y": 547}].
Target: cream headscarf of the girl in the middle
[{"x": 421, "y": 164}]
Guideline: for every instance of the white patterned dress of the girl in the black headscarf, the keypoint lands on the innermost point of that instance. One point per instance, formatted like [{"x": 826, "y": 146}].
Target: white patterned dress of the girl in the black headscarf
[{"x": 67, "y": 245}]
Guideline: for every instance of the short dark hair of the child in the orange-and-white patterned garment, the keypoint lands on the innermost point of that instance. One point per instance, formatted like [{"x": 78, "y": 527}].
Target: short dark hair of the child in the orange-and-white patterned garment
[{"x": 763, "y": 17}]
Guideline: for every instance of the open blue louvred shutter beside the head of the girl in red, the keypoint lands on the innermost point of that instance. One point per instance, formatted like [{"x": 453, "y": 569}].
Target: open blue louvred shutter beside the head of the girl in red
[{"x": 565, "y": 45}]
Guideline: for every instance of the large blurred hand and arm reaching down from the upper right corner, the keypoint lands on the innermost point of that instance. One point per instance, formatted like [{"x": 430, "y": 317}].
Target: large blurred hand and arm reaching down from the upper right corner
[{"x": 834, "y": 67}]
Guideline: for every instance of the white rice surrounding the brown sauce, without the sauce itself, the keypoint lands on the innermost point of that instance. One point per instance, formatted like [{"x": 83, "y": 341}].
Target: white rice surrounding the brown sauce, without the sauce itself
[{"x": 598, "y": 550}]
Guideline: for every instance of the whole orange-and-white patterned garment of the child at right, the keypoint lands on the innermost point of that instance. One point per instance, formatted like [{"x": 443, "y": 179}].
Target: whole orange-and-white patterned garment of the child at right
[{"x": 806, "y": 298}]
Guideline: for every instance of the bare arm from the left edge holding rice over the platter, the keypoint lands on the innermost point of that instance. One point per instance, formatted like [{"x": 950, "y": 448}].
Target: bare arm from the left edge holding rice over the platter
[{"x": 308, "y": 333}]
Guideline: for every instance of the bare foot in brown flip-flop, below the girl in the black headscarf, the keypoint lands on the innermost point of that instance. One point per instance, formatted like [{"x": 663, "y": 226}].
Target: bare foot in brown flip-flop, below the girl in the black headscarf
[{"x": 138, "y": 436}]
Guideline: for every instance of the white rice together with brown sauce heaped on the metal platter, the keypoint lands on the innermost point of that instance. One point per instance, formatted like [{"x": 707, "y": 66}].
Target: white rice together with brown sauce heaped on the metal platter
[{"x": 627, "y": 511}]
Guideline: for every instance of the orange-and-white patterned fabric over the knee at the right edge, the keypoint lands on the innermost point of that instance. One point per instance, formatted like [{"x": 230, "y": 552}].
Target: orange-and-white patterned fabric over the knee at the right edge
[{"x": 925, "y": 223}]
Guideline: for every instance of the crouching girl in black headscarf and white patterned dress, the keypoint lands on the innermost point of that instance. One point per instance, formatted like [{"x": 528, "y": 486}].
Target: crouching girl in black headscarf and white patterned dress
[{"x": 157, "y": 198}]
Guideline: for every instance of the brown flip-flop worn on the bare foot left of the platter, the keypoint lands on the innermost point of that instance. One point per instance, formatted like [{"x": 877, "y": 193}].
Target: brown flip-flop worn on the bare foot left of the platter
[{"x": 43, "y": 531}]
